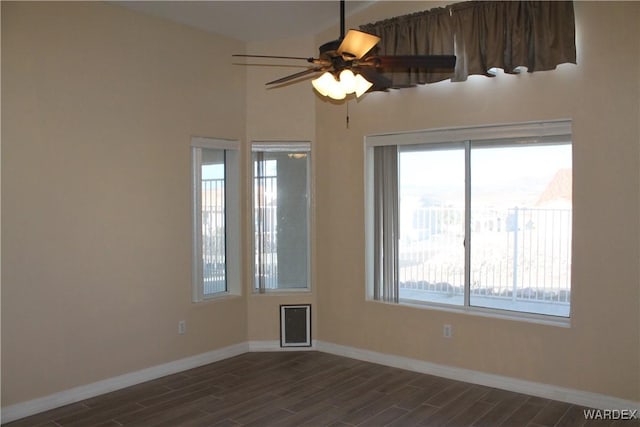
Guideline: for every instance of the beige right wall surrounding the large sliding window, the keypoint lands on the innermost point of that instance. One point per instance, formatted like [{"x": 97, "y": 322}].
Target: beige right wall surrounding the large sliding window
[{"x": 600, "y": 352}]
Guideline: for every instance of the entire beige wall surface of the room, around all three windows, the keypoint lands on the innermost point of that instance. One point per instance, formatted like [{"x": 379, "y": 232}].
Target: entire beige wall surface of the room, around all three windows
[{"x": 99, "y": 104}]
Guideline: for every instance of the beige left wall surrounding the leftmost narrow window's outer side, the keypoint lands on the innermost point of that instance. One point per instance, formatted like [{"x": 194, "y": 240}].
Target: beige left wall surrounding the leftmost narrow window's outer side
[{"x": 99, "y": 104}]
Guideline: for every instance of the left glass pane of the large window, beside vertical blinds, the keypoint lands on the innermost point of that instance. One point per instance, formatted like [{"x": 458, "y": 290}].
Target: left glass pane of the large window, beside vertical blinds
[{"x": 431, "y": 209}]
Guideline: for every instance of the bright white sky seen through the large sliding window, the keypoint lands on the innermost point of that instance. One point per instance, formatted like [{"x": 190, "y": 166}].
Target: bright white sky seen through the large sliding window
[{"x": 499, "y": 175}]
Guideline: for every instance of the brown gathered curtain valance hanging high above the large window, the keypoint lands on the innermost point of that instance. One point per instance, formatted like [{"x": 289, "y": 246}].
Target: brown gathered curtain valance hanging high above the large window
[{"x": 538, "y": 35}]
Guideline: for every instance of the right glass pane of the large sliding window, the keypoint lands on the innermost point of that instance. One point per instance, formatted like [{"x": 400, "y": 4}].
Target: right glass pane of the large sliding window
[{"x": 521, "y": 228}]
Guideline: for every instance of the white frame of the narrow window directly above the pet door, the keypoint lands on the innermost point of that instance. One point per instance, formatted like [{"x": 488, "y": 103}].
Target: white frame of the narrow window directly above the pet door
[{"x": 282, "y": 147}]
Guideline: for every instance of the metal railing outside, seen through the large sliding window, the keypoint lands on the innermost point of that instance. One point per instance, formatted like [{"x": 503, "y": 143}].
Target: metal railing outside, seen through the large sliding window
[{"x": 526, "y": 254}]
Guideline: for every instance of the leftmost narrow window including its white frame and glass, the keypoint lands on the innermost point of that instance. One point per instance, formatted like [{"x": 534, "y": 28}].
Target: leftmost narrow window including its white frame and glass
[{"x": 216, "y": 237}]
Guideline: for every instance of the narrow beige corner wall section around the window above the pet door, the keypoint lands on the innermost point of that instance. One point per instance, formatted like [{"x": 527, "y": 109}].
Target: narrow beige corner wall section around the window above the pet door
[{"x": 278, "y": 113}]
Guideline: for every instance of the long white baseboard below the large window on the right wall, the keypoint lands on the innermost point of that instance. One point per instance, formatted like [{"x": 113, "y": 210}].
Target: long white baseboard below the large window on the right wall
[{"x": 577, "y": 397}]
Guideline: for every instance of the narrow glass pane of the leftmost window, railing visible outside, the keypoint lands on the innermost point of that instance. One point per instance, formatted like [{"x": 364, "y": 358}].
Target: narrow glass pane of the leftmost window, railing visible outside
[{"x": 213, "y": 221}]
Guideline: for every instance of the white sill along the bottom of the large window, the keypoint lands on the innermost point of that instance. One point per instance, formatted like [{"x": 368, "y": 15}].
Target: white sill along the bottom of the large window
[{"x": 541, "y": 319}]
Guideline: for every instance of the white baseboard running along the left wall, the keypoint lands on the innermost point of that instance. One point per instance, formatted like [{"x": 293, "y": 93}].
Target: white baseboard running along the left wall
[{"x": 76, "y": 394}]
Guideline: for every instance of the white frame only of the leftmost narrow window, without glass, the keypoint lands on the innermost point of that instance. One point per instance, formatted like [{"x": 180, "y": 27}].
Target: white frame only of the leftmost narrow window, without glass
[{"x": 233, "y": 251}]
